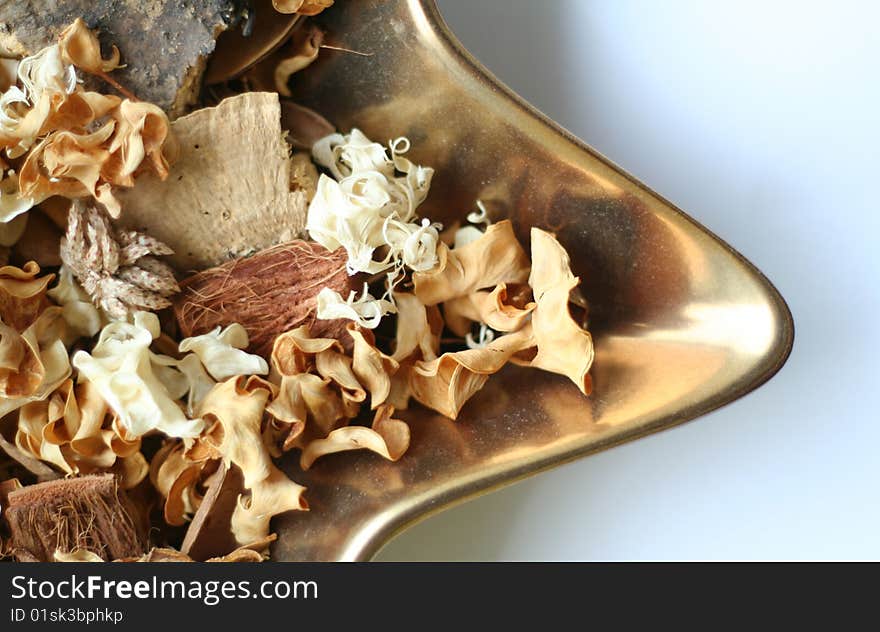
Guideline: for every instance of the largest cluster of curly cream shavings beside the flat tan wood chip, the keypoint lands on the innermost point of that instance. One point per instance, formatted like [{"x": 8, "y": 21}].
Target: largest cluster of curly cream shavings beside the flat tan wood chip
[{"x": 370, "y": 207}]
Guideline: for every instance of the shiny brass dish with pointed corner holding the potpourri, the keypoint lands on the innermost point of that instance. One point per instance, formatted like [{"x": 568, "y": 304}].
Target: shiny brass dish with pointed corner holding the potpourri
[{"x": 682, "y": 323}]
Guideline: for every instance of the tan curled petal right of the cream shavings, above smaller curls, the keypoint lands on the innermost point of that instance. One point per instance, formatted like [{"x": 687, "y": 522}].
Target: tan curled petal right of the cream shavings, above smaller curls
[{"x": 494, "y": 258}]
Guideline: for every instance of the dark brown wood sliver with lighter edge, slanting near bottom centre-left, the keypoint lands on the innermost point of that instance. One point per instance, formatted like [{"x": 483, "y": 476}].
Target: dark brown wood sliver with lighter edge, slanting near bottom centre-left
[{"x": 210, "y": 532}]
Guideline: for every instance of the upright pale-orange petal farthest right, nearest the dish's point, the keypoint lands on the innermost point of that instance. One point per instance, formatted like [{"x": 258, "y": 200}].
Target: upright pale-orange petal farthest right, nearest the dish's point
[{"x": 562, "y": 345}]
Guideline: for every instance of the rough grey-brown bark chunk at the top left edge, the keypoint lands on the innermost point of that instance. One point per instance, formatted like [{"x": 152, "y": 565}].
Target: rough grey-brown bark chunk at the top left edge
[{"x": 164, "y": 43}]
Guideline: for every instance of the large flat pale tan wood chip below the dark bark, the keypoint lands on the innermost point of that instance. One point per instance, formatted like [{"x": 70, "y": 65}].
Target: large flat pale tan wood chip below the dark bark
[{"x": 229, "y": 194}]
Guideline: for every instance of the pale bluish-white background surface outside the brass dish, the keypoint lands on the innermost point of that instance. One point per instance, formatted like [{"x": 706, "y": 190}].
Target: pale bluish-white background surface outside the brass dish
[{"x": 760, "y": 119}]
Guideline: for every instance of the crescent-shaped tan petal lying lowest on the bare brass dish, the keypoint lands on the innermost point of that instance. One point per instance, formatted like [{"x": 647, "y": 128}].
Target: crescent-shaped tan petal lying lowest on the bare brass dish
[{"x": 387, "y": 437}]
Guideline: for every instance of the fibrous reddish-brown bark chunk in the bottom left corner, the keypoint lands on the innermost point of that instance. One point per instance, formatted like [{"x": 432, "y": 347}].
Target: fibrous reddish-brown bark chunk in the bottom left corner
[{"x": 89, "y": 512}]
